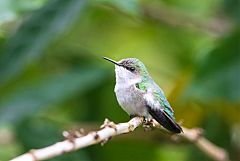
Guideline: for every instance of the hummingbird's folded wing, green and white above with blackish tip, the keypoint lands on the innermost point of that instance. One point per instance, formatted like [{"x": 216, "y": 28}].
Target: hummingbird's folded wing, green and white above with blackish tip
[{"x": 159, "y": 108}]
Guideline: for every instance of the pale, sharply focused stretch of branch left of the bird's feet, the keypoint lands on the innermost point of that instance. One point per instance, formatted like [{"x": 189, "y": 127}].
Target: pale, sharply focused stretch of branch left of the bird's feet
[{"x": 109, "y": 130}]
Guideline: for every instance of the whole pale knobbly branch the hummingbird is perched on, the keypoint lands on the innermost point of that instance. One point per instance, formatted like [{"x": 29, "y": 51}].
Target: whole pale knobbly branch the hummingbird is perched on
[{"x": 107, "y": 131}]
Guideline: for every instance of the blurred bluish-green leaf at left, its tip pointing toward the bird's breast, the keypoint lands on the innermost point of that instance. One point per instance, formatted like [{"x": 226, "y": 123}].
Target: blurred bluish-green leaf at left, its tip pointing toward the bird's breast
[{"x": 51, "y": 90}]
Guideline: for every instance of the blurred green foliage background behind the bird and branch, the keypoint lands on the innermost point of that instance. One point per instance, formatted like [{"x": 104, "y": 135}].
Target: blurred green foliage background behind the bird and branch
[{"x": 52, "y": 75}]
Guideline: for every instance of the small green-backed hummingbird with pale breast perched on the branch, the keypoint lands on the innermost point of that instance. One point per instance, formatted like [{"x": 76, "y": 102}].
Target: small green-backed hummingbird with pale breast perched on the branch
[{"x": 139, "y": 95}]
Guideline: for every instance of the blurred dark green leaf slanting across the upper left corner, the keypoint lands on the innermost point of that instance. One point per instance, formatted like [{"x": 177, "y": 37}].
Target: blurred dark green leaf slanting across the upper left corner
[{"x": 34, "y": 35}]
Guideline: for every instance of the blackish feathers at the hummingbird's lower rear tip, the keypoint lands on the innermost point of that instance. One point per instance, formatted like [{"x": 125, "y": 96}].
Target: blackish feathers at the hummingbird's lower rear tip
[{"x": 165, "y": 120}]
